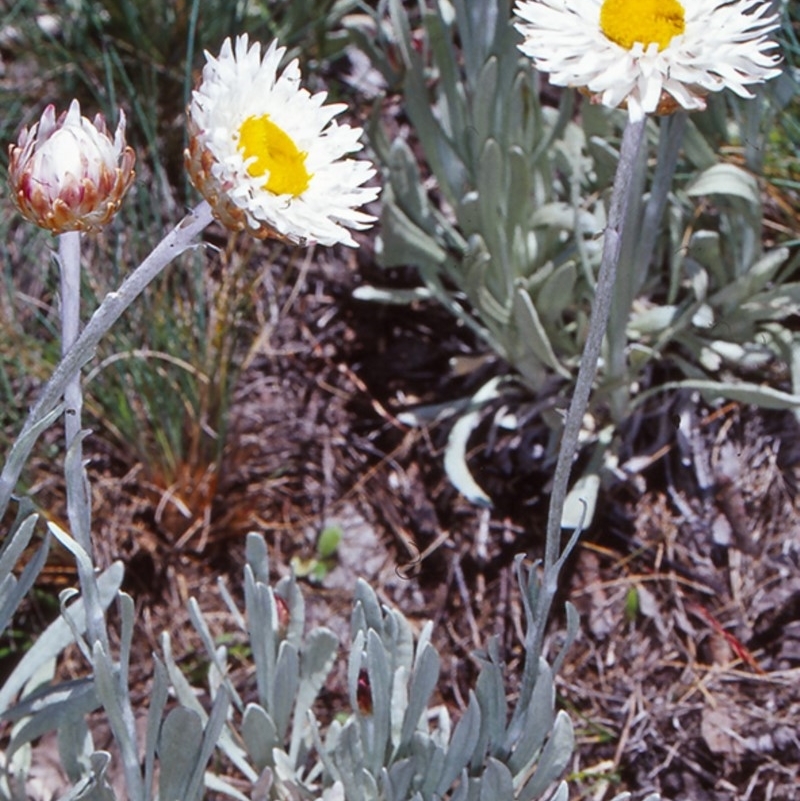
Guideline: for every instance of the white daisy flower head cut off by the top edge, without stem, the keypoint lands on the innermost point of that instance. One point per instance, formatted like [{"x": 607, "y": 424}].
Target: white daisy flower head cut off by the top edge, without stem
[{"x": 651, "y": 55}]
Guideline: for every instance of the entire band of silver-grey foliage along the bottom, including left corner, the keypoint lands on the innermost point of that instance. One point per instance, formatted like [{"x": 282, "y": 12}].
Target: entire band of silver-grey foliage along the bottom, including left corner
[{"x": 392, "y": 744}]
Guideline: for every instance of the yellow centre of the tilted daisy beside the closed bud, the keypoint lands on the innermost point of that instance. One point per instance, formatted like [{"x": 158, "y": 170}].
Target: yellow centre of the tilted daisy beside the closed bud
[{"x": 275, "y": 154}]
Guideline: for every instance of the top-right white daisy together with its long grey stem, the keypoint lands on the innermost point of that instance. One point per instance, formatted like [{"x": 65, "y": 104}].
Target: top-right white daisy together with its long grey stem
[{"x": 649, "y": 57}]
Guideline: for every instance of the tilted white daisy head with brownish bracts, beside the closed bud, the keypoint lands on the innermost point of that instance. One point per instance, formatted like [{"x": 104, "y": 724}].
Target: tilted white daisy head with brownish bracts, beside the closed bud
[{"x": 268, "y": 155}]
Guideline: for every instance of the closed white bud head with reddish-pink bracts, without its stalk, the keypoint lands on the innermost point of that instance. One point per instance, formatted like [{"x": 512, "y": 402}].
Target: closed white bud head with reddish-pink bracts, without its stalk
[{"x": 68, "y": 173}]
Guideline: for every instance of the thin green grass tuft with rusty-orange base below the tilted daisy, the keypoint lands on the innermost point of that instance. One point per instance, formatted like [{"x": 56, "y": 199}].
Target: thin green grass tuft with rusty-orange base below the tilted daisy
[{"x": 160, "y": 389}]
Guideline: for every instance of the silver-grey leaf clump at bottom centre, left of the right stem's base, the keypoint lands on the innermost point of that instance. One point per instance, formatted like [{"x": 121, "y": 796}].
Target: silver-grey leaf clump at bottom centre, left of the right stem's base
[{"x": 393, "y": 744}]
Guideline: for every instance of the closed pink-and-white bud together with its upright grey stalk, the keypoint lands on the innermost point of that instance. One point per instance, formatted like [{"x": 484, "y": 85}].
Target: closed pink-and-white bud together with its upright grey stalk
[{"x": 68, "y": 174}]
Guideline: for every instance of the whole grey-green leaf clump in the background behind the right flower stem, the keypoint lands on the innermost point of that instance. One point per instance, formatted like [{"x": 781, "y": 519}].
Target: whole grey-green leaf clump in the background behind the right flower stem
[{"x": 507, "y": 232}]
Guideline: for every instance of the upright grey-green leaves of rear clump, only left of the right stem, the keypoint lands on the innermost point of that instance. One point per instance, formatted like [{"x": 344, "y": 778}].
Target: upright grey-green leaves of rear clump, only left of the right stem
[{"x": 498, "y": 236}]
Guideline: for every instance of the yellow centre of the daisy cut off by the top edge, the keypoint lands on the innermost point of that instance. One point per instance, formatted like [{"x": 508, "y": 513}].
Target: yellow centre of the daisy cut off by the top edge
[{"x": 628, "y": 21}]
